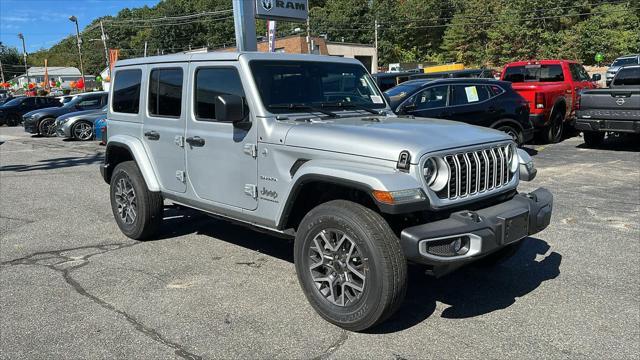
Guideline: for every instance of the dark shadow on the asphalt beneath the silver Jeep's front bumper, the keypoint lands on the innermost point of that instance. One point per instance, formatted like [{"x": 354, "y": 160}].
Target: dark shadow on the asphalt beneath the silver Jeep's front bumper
[{"x": 473, "y": 291}]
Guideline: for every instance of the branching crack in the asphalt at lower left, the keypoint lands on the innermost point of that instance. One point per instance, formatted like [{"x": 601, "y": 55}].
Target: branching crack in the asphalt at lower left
[{"x": 65, "y": 262}]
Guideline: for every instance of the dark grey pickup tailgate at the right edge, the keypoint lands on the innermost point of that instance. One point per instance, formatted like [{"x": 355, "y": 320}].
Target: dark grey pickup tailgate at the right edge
[{"x": 610, "y": 104}]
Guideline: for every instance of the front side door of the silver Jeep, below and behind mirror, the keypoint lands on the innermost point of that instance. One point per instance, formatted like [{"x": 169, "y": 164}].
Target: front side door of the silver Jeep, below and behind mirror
[{"x": 221, "y": 158}]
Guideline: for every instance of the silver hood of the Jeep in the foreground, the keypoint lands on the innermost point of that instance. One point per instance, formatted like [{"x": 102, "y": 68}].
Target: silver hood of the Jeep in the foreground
[{"x": 388, "y": 137}]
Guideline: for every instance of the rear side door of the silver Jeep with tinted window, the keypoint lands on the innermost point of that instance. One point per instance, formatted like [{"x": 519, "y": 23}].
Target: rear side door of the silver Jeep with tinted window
[{"x": 164, "y": 123}]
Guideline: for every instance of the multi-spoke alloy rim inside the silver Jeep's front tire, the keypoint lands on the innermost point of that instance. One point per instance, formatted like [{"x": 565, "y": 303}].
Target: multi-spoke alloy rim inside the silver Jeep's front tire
[{"x": 337, "y": 268}]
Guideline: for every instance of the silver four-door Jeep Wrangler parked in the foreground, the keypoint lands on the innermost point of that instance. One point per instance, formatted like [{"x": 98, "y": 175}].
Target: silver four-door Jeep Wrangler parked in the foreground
[{"x": 306, "y": 146}]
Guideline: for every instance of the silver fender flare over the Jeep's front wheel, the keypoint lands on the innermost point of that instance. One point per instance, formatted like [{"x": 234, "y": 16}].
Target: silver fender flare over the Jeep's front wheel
[{"x": 361, "y": 177}]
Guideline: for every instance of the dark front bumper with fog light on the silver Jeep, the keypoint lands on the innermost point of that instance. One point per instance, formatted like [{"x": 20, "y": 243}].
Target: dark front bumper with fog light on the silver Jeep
[{"x": 480, "y": 232}]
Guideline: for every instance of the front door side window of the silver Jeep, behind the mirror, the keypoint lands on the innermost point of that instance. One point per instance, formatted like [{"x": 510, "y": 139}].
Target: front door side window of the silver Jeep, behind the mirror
[{"x": 211, "y": 82}]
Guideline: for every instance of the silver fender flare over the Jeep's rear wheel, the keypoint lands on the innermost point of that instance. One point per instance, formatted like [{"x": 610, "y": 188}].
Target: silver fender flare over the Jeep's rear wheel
[{"x": 139, "y": 154}]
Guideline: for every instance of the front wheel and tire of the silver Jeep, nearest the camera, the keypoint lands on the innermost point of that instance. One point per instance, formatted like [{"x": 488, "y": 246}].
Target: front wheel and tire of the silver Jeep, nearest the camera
[{"x": 350, "y": 265}]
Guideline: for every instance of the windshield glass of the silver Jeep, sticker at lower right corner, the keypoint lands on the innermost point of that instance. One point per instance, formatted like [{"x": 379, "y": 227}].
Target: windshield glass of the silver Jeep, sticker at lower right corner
[{"x": 310, "y": 83}]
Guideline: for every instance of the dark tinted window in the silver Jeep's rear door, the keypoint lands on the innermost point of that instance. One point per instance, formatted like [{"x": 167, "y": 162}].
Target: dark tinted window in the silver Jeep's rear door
[{"x": 165, "y": 92}]
